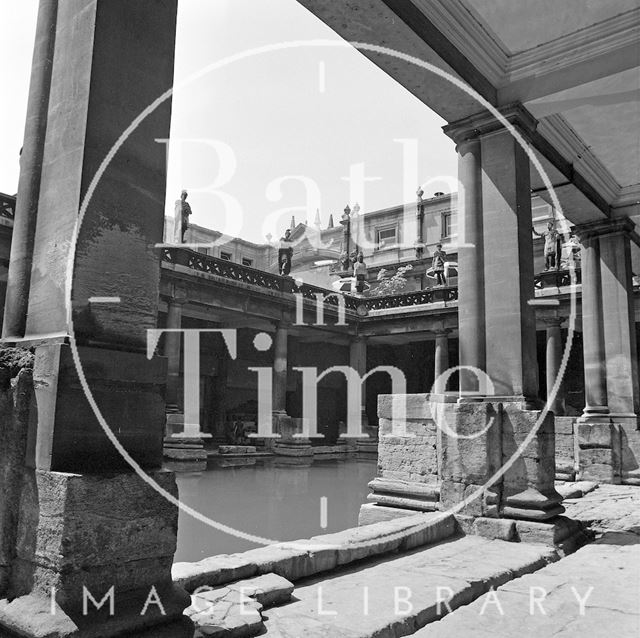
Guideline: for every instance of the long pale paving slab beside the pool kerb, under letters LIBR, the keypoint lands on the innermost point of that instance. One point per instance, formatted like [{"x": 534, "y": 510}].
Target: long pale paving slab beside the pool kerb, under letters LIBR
[{"x": 395, "y": 597}]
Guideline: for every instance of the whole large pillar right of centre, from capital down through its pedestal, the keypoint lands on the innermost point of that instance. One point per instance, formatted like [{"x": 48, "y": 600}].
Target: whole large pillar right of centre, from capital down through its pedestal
[{"x": 497, "y": 331}]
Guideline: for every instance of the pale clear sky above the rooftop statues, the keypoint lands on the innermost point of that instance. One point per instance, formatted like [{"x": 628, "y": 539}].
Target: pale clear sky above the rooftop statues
[{"x": 276, "y": 133}]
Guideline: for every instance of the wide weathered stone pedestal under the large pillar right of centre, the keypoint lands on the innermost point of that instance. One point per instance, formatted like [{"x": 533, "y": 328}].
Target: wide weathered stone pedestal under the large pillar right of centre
[{"x": 476, "y": 459}]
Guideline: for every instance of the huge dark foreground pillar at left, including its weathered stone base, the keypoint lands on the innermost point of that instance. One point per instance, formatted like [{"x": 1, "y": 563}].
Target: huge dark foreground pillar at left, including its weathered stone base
[{"x": 76, "y": 484}]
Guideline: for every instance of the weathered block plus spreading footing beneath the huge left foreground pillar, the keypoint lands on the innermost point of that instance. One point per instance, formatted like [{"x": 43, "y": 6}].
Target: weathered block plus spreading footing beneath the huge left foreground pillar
[{"x": 81, "y": 535}]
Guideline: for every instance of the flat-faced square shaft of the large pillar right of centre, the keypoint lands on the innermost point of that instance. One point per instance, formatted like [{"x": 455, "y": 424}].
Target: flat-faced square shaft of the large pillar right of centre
[{"x": 508, "y": 267}]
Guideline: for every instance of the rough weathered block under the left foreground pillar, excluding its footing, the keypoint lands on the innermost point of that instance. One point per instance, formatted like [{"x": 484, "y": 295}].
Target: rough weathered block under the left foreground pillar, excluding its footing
[{"x": 77, "y": 530}]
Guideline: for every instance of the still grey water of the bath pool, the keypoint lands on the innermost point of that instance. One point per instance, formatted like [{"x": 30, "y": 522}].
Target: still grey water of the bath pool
[{"x": 270, "y": 498}]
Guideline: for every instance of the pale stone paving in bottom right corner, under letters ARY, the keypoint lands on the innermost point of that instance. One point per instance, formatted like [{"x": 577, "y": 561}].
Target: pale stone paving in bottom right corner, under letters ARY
[{"x": 611, "y": 566}]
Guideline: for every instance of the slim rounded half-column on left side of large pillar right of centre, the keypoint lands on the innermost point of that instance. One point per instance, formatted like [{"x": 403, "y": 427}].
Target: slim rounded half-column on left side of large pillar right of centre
[{"x": 471, "y": 318}]
